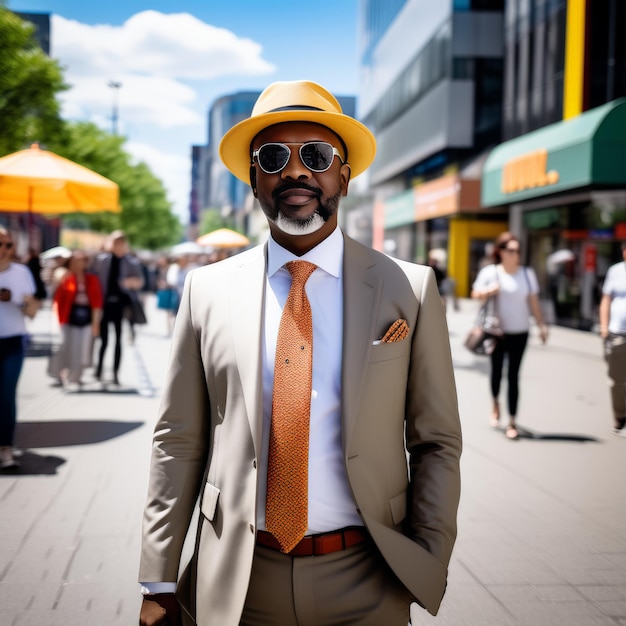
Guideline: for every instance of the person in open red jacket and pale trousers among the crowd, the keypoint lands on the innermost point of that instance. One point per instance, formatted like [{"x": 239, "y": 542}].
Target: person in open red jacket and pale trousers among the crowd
[{"x": 78, "y": 305}]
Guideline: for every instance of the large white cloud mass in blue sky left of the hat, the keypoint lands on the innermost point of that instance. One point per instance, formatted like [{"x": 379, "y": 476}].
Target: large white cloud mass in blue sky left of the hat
[{"x": 156, "y": 58}]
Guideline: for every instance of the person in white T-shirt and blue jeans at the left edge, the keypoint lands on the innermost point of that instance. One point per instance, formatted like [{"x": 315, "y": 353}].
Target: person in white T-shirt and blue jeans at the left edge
[{"x": 17, "y": 289}]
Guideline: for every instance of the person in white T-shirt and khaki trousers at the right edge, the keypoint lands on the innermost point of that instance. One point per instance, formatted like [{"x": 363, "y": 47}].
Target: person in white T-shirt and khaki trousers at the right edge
[{"x": 612, "y": 315}]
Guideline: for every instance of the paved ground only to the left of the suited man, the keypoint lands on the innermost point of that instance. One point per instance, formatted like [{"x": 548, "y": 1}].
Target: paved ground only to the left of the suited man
[{"x": 70, "y": 520}]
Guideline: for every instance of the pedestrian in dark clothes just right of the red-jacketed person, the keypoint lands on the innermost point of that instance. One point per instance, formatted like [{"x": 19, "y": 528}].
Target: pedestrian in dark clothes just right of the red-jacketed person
[{"x": 119, "y": 274}]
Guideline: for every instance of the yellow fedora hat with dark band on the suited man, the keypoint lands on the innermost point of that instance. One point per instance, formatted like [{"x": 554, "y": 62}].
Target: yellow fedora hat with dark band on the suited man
[{"x": 296, "y": 101}]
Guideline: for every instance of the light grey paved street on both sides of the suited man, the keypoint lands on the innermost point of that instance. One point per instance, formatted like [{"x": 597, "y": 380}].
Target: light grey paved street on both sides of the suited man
[{"x": 541, "y": 522}]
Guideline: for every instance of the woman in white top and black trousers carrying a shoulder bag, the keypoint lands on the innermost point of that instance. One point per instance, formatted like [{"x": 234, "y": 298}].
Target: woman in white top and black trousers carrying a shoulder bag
[{"x": 517, "y": 289}]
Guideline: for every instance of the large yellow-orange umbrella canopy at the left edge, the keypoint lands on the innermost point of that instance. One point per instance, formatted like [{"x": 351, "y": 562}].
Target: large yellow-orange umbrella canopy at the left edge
[{"x": 40, "y": 181}]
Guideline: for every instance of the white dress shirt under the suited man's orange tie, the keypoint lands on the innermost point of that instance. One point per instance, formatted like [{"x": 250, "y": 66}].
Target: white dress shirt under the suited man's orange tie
[{"x": 331, "y": 505}]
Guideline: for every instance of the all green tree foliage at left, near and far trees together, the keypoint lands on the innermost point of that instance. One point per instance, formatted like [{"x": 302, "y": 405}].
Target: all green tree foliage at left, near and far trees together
[{"x": 29, "y": 112}]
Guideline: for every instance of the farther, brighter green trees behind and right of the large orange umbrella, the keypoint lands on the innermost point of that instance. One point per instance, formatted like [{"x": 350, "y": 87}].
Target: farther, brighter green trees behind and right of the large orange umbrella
[{"x": 146, "y": 216}]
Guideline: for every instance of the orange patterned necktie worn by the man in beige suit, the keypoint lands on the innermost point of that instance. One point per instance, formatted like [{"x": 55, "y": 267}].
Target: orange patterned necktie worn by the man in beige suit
[{"x": 286, "y": 512}]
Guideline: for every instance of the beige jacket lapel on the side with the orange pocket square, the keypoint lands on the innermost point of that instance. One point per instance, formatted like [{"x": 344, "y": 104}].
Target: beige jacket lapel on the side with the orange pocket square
[{"x": 361, "y": 296}]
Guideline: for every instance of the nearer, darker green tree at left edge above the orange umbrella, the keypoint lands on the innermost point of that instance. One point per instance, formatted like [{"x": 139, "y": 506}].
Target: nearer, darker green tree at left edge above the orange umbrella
[{"x": 29, "y": 83}]
